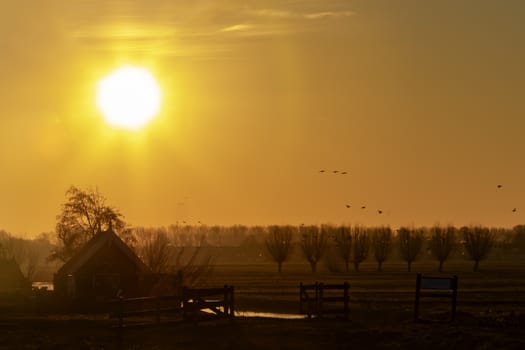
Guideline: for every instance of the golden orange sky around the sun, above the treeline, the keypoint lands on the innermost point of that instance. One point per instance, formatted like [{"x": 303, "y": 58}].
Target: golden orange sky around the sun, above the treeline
[{"x": 421, "y": 102}]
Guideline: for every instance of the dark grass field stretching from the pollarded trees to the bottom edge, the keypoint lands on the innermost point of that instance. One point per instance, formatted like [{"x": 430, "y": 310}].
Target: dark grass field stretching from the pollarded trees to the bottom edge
[{"x": 491, "y": 314}]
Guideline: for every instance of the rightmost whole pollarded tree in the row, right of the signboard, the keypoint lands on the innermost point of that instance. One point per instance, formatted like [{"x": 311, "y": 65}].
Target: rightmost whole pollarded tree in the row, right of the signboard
[{"x": 478, "y": 242}]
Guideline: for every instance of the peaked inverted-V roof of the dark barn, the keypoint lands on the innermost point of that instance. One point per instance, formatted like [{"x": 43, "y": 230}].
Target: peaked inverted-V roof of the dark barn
[{"x": 94, "y": 245}]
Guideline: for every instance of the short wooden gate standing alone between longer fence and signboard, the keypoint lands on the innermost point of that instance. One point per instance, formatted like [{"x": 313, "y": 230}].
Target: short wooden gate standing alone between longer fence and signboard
[{"x": 321, "y": 299}]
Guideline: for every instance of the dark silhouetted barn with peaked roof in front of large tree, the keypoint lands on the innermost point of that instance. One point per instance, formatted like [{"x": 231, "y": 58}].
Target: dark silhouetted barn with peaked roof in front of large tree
[{"x": 104, "y": 268}]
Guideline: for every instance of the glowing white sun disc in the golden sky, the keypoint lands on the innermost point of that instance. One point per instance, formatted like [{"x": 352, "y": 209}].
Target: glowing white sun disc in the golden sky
[{"x": 129, "y": 97}]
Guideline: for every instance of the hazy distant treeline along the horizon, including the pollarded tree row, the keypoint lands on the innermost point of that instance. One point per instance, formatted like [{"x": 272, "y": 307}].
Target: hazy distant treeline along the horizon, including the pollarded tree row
[{"x": 342, "y": 248}]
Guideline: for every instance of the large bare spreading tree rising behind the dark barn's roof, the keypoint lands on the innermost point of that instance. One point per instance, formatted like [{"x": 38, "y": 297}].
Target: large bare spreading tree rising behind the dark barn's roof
[{"x": 85, "y": 214}]
